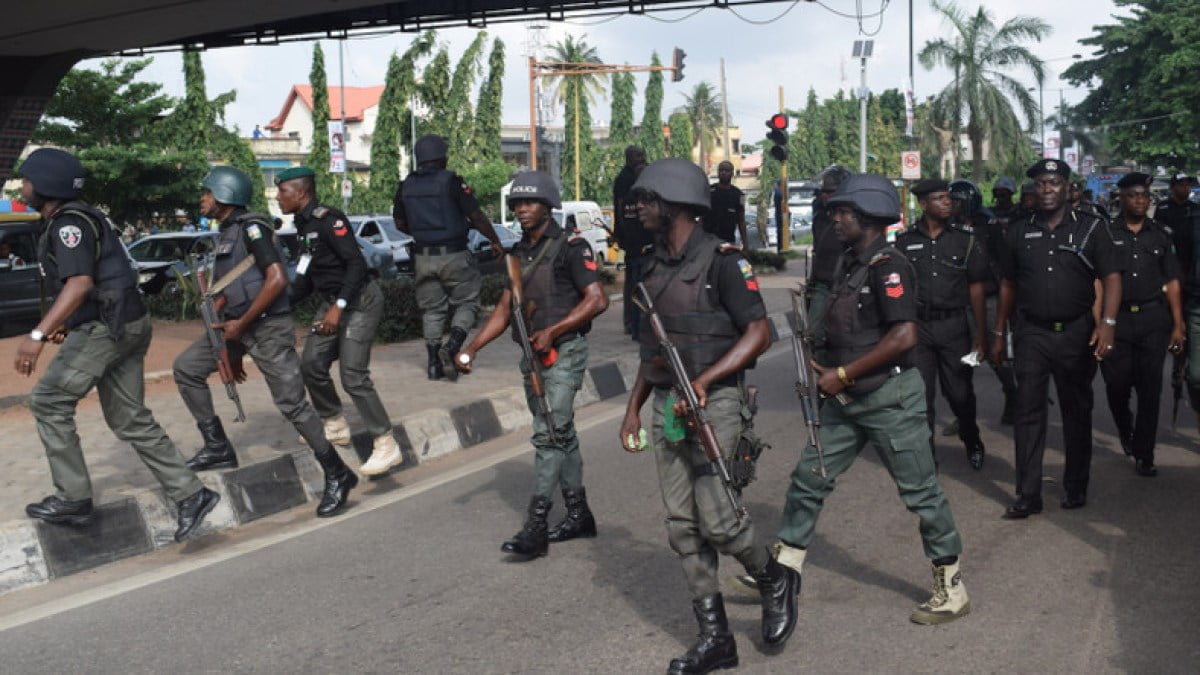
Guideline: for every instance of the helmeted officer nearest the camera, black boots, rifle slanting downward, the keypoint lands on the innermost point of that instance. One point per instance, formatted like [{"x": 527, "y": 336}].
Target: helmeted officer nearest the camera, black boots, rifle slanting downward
[{"x": 707, "y": 297}]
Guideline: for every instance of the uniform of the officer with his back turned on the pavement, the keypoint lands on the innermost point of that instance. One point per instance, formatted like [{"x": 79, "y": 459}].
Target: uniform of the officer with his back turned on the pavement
[{"x": 435, "y": 205}]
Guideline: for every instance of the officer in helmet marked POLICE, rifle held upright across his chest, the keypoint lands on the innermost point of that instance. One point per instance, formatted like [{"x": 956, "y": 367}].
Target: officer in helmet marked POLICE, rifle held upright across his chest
[{"x": 561, "y": 284}]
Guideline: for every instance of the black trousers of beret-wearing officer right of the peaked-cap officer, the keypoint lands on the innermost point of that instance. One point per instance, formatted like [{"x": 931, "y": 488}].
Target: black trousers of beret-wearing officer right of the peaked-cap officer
[{"x": 1137, "y": 366}]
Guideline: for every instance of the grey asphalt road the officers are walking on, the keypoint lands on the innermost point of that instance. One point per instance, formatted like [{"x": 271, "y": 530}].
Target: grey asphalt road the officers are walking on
[{"x": 413, "y": 581}]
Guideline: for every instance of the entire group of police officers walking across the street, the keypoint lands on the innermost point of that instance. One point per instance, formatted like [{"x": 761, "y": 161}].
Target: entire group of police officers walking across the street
[{"x": 1049, "y": 286}]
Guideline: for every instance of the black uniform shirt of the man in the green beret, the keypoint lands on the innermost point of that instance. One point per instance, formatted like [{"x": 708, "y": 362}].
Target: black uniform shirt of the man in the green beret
[{"x": 338, "y": 268}]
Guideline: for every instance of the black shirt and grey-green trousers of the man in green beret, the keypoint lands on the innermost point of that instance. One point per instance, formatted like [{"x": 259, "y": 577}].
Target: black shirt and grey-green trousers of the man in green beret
[{"x": 334, "y": 270}]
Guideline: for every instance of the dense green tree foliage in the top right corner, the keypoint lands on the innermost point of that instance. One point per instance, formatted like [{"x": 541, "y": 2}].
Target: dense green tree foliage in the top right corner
[{"x": 1142, "y": 77}]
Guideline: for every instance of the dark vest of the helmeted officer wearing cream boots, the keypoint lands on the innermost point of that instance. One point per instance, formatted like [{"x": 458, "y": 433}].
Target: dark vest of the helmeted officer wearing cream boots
[{"x": 848, "y": 337}]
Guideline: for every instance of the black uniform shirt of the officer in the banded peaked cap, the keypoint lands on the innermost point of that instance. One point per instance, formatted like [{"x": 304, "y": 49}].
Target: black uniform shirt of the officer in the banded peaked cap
[{"x": 1053, "y": 283}]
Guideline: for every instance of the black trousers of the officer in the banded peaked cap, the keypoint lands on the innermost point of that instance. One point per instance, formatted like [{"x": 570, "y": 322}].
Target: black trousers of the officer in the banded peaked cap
[{"x": 1042, "y": 354}]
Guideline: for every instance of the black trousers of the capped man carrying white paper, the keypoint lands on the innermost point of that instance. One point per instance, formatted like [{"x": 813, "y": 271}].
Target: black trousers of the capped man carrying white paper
[{"x": 940, "y": 349}]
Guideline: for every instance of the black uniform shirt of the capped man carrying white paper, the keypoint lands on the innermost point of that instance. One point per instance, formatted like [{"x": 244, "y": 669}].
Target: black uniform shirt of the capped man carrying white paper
[{"x": 946, "y": 266}]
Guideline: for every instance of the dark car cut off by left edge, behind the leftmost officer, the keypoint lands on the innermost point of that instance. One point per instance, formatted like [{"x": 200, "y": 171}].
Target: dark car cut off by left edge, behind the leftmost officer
[{"x": 20, "y": 295}]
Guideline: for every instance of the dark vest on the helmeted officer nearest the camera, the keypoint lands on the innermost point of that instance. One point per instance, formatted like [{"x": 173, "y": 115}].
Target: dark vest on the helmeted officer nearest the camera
[{"x": 694, "y": 319}]
